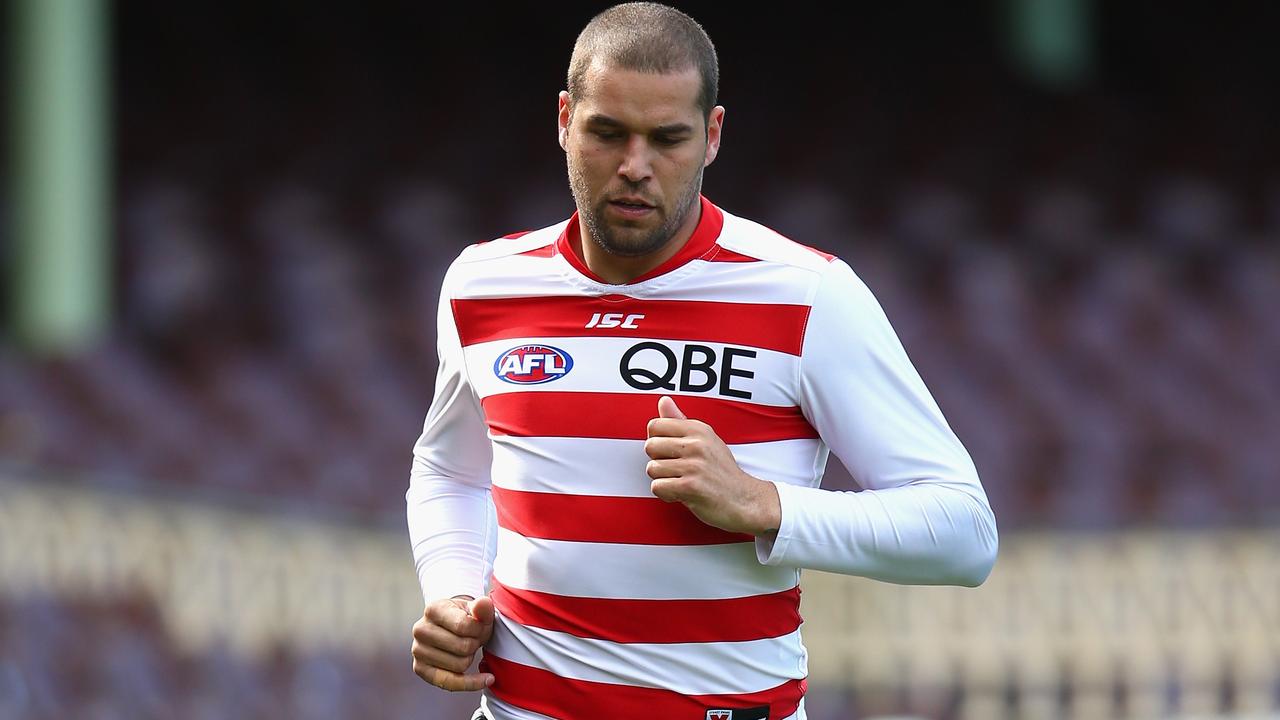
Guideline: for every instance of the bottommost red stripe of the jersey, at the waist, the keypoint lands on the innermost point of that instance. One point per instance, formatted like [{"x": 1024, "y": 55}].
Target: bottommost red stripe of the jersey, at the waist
[{"x": 564, "y": 699}]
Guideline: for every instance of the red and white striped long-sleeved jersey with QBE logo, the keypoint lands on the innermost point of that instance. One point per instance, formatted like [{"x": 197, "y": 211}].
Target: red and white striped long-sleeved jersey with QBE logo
[{"x": 529, "y": 480}]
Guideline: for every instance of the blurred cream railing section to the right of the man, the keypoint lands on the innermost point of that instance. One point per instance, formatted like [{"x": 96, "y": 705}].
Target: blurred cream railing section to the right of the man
[{"x": 1171, "y": 623}]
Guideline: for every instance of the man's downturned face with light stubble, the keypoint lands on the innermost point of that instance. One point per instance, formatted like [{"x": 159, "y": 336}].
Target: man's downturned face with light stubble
[{"x": 637, "y": 145}]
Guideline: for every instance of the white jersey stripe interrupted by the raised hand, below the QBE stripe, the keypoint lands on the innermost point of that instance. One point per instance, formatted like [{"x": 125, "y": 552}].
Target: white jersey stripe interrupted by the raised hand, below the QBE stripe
[{"x": 616, "y": 468}]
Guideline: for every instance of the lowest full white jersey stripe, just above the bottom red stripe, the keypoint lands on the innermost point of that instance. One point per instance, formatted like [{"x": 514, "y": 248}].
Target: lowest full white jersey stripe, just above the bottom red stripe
[{"x": 729, "y": 668}]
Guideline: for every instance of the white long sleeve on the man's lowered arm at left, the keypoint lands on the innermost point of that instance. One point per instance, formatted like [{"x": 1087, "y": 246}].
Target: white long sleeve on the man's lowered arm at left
[{"x": 451, "y": 518}]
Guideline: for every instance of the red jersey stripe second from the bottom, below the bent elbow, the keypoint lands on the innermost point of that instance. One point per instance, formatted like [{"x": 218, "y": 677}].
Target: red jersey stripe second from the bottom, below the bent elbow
[{"x": 653, "y": 621}]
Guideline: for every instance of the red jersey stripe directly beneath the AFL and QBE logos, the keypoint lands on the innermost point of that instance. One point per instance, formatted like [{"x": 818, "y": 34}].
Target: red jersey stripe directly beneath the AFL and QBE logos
[{"x": 620, "y": 416}]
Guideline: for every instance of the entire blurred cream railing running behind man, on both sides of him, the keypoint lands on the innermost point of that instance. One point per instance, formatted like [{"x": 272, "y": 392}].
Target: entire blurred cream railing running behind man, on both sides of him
[{"x": 1183, "y": 623}]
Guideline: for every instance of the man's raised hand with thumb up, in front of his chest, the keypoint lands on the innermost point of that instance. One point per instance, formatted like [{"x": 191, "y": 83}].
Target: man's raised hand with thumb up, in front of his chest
[{"x": 692, "y": 464}]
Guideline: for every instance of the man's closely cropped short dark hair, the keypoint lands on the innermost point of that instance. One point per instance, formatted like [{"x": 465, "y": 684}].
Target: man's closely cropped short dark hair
[{"x": 648, "y": 38}]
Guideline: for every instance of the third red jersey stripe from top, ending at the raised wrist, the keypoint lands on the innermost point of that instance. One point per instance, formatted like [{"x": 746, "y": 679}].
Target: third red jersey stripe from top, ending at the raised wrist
[{"x": 588, "y": 518}]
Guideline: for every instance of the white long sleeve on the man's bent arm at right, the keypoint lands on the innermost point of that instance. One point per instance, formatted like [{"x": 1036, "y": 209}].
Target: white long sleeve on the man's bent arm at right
[{"x": 924, "y": 517}]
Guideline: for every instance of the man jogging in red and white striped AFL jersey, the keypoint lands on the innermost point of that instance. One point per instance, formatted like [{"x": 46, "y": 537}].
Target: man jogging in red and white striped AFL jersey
[{"x": 618, "y": 482}]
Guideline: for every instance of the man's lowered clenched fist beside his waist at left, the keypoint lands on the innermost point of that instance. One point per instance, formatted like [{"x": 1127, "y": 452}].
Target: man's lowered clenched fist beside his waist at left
[{"x": 446, "y": 641}]
